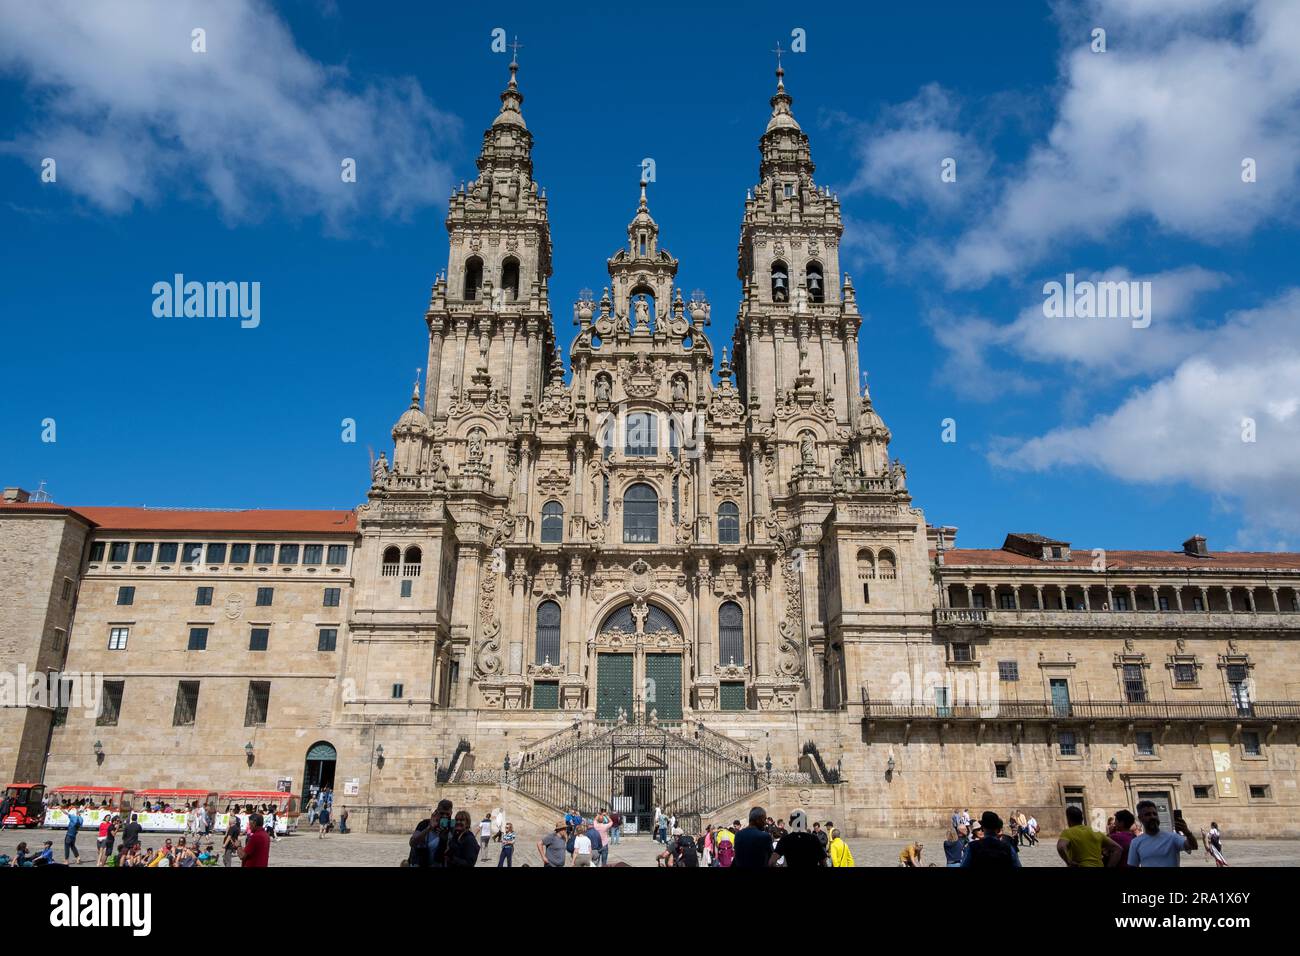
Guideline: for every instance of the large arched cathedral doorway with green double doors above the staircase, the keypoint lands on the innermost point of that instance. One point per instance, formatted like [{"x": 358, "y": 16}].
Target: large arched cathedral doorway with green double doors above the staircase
[{"x": 639, "y": 665}]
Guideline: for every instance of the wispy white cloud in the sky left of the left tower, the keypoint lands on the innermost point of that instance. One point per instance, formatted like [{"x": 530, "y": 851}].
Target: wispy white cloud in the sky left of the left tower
[{"x": 132, "y": 114}]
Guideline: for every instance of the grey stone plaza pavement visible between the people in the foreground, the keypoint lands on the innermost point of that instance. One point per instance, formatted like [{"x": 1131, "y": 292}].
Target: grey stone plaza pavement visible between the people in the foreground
[{"x": 388, "y": 850}]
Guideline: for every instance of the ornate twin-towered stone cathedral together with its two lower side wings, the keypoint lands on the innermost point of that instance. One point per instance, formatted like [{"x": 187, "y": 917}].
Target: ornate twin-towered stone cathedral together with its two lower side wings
[{"x": 674, "y": 577}]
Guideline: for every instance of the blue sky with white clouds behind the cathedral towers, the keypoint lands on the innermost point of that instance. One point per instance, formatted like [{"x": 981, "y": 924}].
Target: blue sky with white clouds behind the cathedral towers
[{"x": 1124, "y": 165}]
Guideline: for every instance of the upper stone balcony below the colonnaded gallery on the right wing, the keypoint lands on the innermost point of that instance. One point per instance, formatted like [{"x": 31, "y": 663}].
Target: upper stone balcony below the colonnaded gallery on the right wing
[{"x": 1058, "y": 620}]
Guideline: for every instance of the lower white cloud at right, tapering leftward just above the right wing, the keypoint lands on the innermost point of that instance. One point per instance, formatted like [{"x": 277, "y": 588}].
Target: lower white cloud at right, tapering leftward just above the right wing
[{"x": 1189, "y": 426}]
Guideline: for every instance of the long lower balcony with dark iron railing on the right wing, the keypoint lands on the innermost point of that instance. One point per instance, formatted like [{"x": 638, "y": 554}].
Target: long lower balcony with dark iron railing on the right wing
[{"x": 1086, "y": 711}]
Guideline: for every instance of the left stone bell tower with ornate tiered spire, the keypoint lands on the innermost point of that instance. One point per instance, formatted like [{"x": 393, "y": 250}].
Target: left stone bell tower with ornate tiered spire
[{"x": 489, "y": 315}]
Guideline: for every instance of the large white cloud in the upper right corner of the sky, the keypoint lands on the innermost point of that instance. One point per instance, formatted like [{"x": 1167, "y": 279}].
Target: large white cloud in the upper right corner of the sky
[{"x": 1155, "y": 129}]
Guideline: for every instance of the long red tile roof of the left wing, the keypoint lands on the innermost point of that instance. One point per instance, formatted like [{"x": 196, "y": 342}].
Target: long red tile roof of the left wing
[{"x": 181, "y": 520}]
